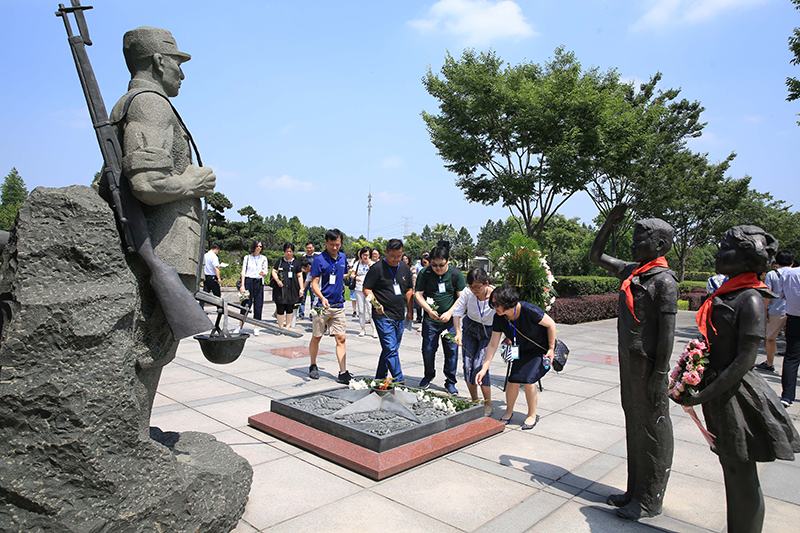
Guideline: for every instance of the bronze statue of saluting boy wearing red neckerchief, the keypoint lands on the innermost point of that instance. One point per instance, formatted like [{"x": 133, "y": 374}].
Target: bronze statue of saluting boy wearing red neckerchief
[{"x": 648, "y": 306}]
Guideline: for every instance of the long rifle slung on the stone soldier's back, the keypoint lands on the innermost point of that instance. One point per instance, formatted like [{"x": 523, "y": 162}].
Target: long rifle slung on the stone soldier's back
[{"x": 184, "y": 315}]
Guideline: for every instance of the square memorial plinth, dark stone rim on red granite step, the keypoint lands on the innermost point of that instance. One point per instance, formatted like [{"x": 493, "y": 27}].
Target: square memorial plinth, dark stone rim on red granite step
[{"x": 375, "y": 456}]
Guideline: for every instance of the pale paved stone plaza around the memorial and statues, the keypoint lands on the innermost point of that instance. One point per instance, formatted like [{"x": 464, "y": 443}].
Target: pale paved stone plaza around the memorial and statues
[{"x": 553, "y": 478}]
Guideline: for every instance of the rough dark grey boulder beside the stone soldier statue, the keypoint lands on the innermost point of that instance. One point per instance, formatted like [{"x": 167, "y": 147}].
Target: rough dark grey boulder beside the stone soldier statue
[{"x": 73, "y": 454}]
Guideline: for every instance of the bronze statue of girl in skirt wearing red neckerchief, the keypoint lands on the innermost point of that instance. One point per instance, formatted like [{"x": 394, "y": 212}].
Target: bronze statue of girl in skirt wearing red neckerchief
[{"x": 745, "y": 415}]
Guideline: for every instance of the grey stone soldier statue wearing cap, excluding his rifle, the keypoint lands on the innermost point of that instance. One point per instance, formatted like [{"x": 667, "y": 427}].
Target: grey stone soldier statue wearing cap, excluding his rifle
[{"x": 157, "y": 163}]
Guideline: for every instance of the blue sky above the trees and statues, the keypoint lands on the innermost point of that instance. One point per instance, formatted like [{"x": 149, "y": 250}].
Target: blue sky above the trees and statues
[{"x": 302, "y": 107}]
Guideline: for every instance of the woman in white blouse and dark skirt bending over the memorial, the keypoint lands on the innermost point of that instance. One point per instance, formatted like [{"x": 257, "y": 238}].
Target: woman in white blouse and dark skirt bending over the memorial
[{"x": 474, "y": 332}]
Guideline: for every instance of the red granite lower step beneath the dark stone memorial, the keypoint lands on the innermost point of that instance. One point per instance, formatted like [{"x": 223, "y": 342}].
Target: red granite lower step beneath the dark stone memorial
[{"x": 372, "y": 464}]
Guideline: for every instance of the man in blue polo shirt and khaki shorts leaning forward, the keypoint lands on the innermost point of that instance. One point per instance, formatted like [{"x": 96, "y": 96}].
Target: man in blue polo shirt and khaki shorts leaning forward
[{"x": 327, "y": 283}]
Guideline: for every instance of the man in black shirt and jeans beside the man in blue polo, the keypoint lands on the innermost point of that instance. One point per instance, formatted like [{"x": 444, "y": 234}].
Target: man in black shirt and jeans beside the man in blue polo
[{"x": 389, "y": 283}]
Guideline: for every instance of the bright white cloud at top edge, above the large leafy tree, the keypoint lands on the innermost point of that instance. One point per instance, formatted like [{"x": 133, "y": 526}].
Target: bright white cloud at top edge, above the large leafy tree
[{"x": 478, "y": 22}]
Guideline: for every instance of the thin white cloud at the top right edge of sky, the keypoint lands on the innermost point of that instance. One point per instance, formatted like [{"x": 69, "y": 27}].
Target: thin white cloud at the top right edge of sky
[{"x": 663, "y": 13}]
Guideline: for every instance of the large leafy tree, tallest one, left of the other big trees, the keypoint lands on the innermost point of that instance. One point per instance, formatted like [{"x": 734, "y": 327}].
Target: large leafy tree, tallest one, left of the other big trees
[{"x": 524, "y": 135}]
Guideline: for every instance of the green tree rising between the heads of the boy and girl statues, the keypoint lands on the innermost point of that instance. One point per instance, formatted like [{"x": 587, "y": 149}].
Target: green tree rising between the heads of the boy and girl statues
[{"x": 693, "y": 196}]
